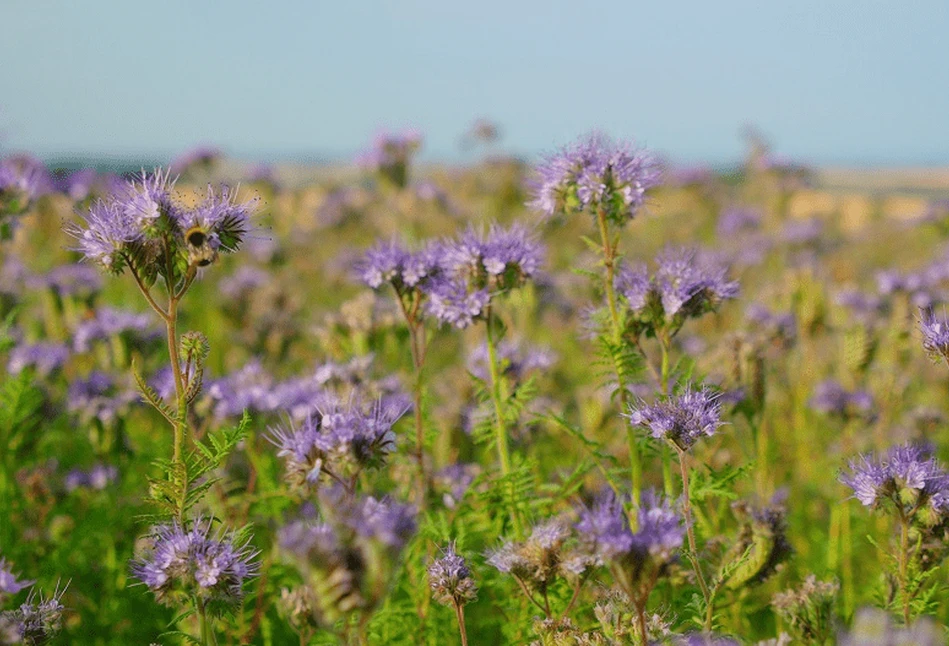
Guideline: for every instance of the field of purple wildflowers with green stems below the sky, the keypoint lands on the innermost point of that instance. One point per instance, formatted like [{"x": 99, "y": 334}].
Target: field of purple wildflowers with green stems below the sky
[{"x": 584, "y": 399}]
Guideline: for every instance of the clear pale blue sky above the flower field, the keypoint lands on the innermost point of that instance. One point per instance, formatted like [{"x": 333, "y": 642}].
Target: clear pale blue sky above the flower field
[{"x": 849, "y": 82}]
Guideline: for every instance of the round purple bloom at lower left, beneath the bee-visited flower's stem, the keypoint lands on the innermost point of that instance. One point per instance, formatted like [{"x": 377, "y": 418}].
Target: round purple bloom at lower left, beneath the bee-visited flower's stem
[{"x": 193, "y": 563}]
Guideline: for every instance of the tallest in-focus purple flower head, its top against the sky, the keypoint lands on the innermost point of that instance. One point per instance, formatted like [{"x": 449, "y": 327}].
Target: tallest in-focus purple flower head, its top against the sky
[{"x": 595, "y": 173}]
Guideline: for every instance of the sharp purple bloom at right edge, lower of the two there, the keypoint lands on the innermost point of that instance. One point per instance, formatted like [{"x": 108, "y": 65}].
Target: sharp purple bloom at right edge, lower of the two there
[{"x": 908, "y": 476}]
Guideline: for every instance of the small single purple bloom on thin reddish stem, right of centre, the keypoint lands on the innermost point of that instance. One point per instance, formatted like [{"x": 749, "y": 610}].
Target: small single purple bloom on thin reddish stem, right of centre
[{"x": 682, "y": 419}]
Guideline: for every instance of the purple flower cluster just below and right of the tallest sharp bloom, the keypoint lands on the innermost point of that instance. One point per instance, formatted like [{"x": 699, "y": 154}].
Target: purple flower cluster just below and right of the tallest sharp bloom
[{"x": 685, "y": 285}]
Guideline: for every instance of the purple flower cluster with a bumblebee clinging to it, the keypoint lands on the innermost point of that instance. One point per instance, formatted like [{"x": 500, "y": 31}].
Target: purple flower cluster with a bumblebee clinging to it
[{"x": 131, "y": 226}]
